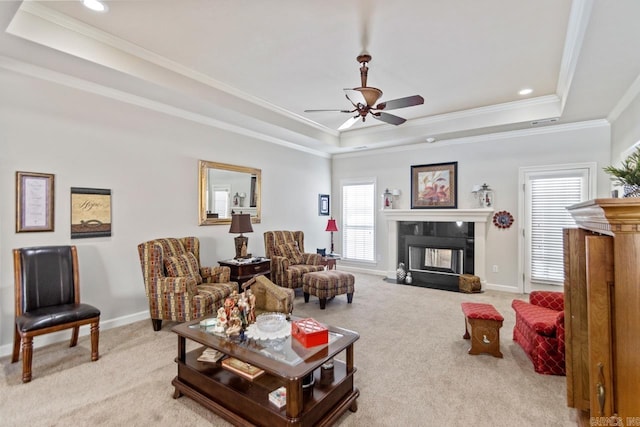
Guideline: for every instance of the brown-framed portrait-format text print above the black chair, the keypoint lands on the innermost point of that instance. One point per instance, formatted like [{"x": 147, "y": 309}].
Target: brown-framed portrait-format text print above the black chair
[{"x": 34, "y": 201}]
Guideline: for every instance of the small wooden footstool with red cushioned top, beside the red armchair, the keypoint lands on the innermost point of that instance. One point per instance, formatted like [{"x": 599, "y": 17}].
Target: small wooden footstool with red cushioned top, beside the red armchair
[{"x": 482, "y": 323}]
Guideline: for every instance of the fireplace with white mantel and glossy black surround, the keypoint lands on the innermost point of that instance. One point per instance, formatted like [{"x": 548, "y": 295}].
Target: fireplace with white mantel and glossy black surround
[{"x": 437, "y": 245}]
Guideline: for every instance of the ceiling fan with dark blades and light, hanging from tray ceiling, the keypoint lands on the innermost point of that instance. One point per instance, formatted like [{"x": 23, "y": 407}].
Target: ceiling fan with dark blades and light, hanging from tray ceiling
[{"x": 364, "y": 98}]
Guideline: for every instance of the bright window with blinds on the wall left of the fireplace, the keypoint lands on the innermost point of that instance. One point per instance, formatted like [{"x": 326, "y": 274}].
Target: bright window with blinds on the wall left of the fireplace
[{"x": 358, "y": 221}]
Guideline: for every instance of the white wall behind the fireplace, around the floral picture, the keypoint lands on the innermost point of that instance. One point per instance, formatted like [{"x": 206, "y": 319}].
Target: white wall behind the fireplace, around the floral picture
[{"x": 492, "y": 159}]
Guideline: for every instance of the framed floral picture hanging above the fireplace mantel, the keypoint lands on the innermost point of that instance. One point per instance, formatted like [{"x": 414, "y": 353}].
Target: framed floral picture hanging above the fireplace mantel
[{"x": 434, "y": 186}]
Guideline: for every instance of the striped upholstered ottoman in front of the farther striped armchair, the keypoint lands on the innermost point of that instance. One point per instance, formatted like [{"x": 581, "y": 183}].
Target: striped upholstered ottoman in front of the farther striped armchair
[{"x": 328, "y": 284}]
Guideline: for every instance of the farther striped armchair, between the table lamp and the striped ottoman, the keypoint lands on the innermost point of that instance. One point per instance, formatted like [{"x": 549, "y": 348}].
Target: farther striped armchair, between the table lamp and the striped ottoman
[{"x": 289, "y": 262}]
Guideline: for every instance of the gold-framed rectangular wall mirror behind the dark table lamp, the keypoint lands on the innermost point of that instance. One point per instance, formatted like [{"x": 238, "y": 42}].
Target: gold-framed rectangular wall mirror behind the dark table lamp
[{"x": 226, "y": 189}]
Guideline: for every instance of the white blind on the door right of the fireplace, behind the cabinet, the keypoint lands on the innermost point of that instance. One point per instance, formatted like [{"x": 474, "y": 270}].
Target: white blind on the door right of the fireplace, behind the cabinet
[{"x": 549, "y": 198}]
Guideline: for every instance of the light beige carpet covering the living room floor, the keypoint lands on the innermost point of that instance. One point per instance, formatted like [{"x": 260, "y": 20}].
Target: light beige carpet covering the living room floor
[{"x": 413, "y": 369}]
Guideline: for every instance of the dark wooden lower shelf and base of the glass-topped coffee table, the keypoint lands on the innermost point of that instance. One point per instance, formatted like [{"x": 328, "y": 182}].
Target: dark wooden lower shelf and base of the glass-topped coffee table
[{"x": 246, "y": 403}]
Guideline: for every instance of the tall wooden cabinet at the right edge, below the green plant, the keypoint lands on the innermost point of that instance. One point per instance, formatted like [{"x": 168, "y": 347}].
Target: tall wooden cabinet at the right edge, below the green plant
[{"x": 602, "y": 309}]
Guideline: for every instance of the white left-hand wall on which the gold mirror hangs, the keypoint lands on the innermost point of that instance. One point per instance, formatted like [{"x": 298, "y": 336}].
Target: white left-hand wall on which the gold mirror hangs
[{"x": 150, "y": 163}]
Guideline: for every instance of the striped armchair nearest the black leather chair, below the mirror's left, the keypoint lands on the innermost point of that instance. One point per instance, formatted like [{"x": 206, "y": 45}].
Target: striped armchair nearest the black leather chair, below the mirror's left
[{"x": 178, "y": 288}]
